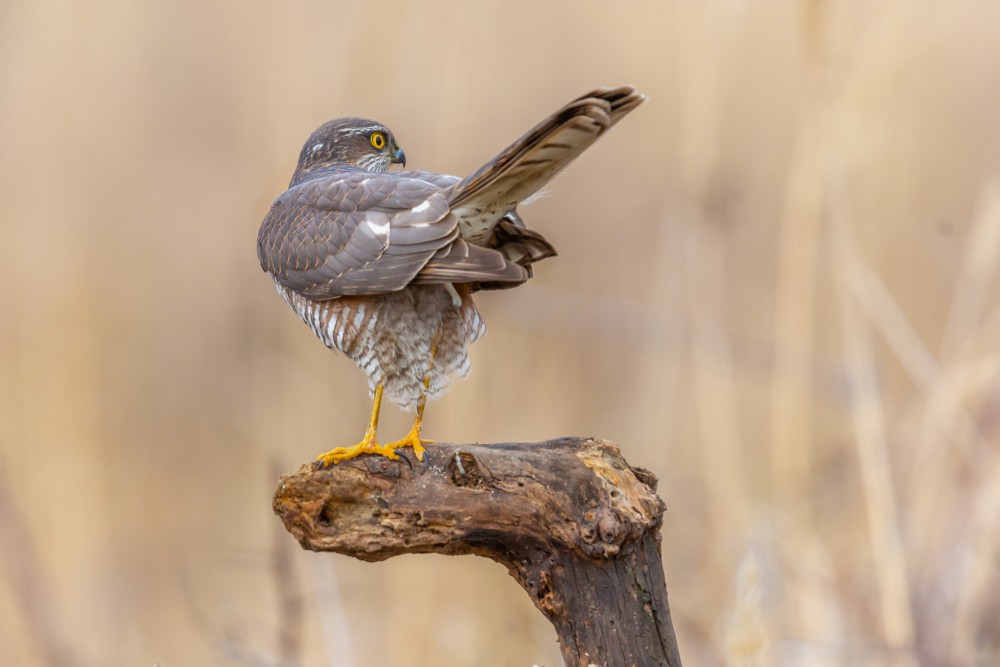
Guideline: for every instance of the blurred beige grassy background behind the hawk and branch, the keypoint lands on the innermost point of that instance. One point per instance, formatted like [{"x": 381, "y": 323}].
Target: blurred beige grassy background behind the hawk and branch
[{"x": 776, "y": 288}]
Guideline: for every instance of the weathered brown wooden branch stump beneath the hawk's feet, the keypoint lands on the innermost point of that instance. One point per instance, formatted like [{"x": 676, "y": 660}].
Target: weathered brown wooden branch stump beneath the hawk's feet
[{"x": 574, "y": 524}]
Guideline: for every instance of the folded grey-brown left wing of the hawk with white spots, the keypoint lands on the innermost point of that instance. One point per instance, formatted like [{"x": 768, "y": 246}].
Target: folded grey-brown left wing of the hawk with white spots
[{"x": 362, "y": 233}]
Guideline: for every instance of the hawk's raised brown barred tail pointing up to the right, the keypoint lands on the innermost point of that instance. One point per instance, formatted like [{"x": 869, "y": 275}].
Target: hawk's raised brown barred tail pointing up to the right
[{"x": 480, "y": 200}]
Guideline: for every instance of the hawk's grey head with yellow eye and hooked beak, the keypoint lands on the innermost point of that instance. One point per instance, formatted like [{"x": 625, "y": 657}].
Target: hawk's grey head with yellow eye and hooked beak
[{"x": 359, "y": 142}]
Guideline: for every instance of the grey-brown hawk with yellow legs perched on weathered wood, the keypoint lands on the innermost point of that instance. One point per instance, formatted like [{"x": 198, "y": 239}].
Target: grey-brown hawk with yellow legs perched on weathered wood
[{"x": 382, "y": 265}]
